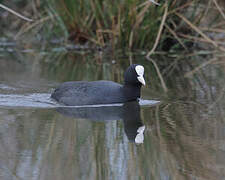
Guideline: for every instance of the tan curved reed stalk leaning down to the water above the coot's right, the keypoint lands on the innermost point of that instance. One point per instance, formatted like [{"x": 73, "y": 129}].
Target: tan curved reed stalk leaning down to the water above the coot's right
[{"x": 160, "y": 30}]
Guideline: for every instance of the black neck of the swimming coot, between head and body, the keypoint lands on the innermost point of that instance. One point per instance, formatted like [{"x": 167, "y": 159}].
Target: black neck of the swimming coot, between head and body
[{"x": 132, "y": 91}]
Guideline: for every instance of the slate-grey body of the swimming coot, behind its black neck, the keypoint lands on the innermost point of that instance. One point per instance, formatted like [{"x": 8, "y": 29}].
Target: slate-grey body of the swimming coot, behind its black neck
[{"x": 89, "y": 93}]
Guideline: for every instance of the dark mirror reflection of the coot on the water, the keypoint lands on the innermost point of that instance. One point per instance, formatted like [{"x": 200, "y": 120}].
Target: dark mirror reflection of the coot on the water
[{"x": 129, "y": 113}]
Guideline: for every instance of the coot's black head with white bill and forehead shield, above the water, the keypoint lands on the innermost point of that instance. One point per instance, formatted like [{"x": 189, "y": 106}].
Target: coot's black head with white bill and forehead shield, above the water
[{"x": 134, "y": 75}]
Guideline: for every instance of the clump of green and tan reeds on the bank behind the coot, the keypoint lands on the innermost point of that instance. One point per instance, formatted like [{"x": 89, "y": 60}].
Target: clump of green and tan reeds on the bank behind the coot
[{"x": 128, "y": 23}]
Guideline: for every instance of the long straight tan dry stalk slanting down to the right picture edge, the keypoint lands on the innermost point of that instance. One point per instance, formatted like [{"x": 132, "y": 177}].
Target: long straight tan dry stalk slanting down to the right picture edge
[{"x": 199, "y": 31}]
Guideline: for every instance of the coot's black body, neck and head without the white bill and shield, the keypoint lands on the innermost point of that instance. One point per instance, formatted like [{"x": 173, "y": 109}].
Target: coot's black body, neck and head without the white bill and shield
[{"x": 100, "y": 92}]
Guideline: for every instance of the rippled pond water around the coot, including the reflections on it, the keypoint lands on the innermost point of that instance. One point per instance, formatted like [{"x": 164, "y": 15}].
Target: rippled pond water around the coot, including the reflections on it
[{"x": 182, "y": 137}]
